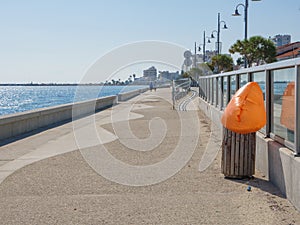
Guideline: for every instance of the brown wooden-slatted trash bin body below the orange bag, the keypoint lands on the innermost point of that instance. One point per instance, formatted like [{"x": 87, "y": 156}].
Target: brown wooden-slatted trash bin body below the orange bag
[{"x": 238, "y": 154}]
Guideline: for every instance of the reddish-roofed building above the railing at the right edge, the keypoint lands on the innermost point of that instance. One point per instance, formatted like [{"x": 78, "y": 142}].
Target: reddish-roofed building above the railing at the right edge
[{"x": 288, "y": 51}]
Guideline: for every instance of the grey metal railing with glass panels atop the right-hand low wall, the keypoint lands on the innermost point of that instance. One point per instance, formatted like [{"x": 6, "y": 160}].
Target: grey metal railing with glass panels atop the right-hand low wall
[{"x": 280, "y": 83}]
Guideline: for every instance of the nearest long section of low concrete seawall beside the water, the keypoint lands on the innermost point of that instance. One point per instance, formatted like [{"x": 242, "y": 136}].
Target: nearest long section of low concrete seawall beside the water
[{"x": 24, "y": 122}]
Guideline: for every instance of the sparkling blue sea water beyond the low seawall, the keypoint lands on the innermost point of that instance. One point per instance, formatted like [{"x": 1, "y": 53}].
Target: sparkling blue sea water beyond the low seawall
[{"x": 15, "y": 99}]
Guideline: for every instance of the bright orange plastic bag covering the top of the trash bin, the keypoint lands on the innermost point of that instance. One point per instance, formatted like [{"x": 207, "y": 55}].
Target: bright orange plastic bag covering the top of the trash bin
[{"x": 245, "y": 113}]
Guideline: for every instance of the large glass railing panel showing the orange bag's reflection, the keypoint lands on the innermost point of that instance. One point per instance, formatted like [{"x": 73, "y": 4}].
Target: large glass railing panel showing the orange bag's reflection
[{"x": 283, "y": 101}]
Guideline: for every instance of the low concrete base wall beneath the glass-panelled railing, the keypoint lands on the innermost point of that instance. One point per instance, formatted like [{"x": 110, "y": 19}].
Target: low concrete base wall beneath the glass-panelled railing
[{"x": 274, "y": 160}]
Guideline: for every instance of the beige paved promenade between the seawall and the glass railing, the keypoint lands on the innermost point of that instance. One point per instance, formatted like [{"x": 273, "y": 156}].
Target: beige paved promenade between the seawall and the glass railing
[{"x": 44, "y": 178}]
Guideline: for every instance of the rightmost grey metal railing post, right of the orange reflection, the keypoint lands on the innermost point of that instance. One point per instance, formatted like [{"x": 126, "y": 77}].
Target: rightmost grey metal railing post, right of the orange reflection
[{"x": 297, "y": 110}]
